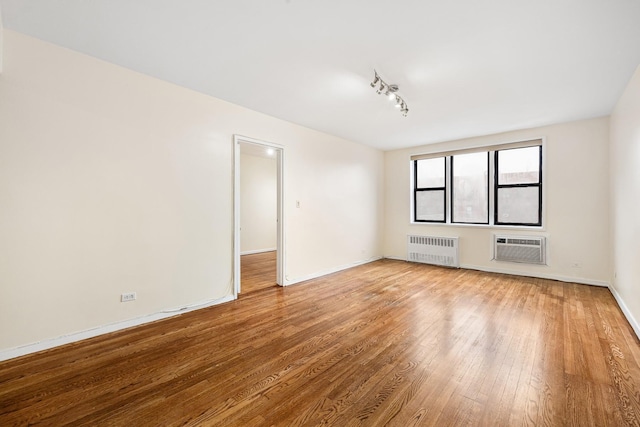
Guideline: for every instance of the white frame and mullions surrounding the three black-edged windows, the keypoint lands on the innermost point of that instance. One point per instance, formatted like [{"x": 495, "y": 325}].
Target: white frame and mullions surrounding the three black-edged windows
[{"x": 491, "y": 149}]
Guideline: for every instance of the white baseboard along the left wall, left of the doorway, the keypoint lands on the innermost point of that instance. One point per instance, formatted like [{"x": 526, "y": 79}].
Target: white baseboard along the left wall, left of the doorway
[{"x": 90, "y": 333}]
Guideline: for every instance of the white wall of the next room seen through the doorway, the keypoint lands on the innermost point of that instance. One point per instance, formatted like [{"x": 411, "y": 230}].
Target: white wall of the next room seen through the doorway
[{"x": 258, "y": 203}]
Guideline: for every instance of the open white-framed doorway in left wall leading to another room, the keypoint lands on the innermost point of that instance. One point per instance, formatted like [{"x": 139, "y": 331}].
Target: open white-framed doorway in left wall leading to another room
[{"x": 262, "y": 242}]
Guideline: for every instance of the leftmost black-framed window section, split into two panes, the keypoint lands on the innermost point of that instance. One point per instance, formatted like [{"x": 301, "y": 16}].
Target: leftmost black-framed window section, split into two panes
[{"x": 430, "y": 191}]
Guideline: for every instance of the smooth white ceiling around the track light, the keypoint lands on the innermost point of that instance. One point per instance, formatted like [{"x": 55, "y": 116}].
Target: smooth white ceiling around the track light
[{"x": 465, "y": 68}]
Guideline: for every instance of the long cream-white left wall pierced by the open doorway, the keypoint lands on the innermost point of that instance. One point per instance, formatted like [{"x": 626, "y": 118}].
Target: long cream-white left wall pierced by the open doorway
[{"x": 112, "y": 182}]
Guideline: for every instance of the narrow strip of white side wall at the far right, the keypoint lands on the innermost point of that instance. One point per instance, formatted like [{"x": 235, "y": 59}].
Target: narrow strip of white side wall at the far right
[{"x": 625, "y": 200}]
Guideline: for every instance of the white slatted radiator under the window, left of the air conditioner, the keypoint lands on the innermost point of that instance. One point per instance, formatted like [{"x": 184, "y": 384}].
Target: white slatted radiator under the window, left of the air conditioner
[{"x": 433, "y": 250}]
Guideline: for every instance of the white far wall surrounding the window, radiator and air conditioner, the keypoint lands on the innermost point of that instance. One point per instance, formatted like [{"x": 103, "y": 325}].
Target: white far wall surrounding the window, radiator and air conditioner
[{"x": 575, "y": 208}]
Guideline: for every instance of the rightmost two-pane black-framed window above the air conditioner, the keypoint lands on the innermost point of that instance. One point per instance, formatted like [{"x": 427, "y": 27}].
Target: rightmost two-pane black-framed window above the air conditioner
[{"x": 518, "y": 194}]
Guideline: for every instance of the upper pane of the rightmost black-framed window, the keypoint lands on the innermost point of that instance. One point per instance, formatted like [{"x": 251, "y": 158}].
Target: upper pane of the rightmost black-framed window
[{"x": 519, "y": 166}]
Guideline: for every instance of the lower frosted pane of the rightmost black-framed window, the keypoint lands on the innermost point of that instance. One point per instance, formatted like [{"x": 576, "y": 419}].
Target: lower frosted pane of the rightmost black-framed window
[{"x": 518, "y": 205}]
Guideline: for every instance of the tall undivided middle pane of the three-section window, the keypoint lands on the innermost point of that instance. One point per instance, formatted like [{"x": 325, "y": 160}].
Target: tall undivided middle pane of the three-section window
[{"x": 470, "y": 188}]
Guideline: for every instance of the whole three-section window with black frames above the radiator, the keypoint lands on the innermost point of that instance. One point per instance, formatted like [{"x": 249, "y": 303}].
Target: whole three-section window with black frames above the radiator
[{"x": 497, "y": 185}]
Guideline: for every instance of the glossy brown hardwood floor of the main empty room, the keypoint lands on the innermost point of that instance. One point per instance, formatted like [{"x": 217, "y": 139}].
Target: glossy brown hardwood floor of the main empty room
[{"x": 386, "y": 343}]
